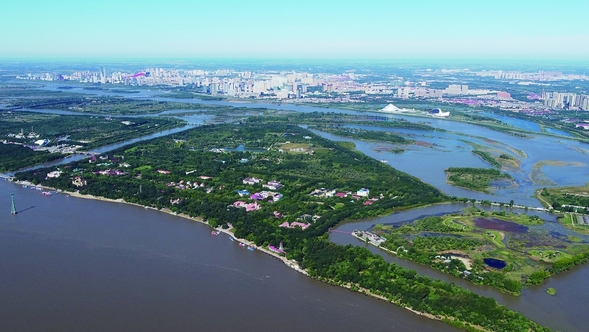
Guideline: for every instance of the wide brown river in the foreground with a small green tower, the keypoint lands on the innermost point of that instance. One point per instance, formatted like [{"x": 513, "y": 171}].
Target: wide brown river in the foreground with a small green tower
[{"x": 70, "y": 264}]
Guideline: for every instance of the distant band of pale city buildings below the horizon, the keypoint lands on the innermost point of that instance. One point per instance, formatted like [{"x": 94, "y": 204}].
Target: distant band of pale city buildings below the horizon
[{"x": 347, "y": 87}]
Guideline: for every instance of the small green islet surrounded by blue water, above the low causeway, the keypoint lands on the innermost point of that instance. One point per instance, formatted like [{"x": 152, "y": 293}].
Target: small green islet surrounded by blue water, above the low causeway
[{"x": 478, "y": 179}]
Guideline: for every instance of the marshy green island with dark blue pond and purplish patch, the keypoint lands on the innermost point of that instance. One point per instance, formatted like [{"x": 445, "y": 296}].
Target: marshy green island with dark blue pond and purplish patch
[{"x": 500, "y": 249}]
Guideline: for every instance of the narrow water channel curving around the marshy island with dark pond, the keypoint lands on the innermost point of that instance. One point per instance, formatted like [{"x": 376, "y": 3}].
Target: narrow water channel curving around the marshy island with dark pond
[{"x": 565, "y": 312}]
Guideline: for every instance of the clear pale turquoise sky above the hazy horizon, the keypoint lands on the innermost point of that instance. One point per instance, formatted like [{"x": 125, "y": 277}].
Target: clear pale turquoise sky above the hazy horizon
[{"x": 367, "y": 29}]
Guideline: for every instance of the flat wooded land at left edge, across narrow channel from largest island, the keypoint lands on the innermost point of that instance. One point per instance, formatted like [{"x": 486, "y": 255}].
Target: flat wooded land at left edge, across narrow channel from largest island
[{"x": 30, "y": 138}]
